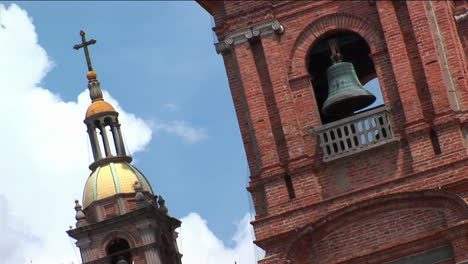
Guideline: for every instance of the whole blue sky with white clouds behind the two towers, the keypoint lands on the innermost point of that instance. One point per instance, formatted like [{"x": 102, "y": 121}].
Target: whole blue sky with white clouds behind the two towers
[{"x": 157, "y": 64}]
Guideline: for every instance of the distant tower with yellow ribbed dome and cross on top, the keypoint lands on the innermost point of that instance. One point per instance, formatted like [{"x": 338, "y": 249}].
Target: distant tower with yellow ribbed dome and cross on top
[{"x": 121, "y": 220}]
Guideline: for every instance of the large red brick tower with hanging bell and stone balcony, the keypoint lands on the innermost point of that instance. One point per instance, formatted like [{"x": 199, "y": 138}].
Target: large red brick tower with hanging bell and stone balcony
[{"x": 332, "y": 182}]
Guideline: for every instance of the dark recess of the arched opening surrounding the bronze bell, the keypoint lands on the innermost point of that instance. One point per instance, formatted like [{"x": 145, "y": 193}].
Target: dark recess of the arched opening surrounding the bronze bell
[{"x": 353, "y": 49}]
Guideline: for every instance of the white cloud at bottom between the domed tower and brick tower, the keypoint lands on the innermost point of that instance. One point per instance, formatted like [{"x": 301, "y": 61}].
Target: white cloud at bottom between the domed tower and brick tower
[{"x": 199, "y": 245}]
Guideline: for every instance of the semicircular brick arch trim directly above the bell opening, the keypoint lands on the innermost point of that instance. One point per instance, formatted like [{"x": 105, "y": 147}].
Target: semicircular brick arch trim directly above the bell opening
[{"x": 328, "y": 23}]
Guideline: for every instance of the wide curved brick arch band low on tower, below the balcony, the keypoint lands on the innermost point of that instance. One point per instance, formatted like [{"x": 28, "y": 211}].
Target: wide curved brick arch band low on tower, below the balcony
[{"x": 434, "y": 200}]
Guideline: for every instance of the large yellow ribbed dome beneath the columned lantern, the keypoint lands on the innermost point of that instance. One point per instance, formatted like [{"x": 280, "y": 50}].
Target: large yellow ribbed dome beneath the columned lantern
[{"x": 111, "y": 179}]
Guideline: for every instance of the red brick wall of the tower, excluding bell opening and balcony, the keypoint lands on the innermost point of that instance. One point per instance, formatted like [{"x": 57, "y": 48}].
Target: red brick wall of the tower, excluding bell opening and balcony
[{"x": 420, "y": 55}]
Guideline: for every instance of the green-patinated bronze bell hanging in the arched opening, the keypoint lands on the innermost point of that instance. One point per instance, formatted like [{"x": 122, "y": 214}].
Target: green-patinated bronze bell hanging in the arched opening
[{"x": 345, "y": 92}]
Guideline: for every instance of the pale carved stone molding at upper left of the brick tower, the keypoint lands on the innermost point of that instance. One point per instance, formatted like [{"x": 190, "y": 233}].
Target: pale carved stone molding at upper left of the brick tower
[{"x": 243, "y": 35}]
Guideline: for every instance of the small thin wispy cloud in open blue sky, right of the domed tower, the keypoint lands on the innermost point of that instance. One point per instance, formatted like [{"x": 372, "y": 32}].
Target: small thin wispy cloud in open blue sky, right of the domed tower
[{"x": 182, "y": 129}]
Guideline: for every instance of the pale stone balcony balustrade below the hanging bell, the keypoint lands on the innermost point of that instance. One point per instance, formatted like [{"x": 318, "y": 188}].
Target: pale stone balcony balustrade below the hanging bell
[{"x": 354, "y": 134}]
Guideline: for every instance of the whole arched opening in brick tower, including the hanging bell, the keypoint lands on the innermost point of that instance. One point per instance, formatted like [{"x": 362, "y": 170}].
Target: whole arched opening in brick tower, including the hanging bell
[{"x": 351, "y": 48}]
